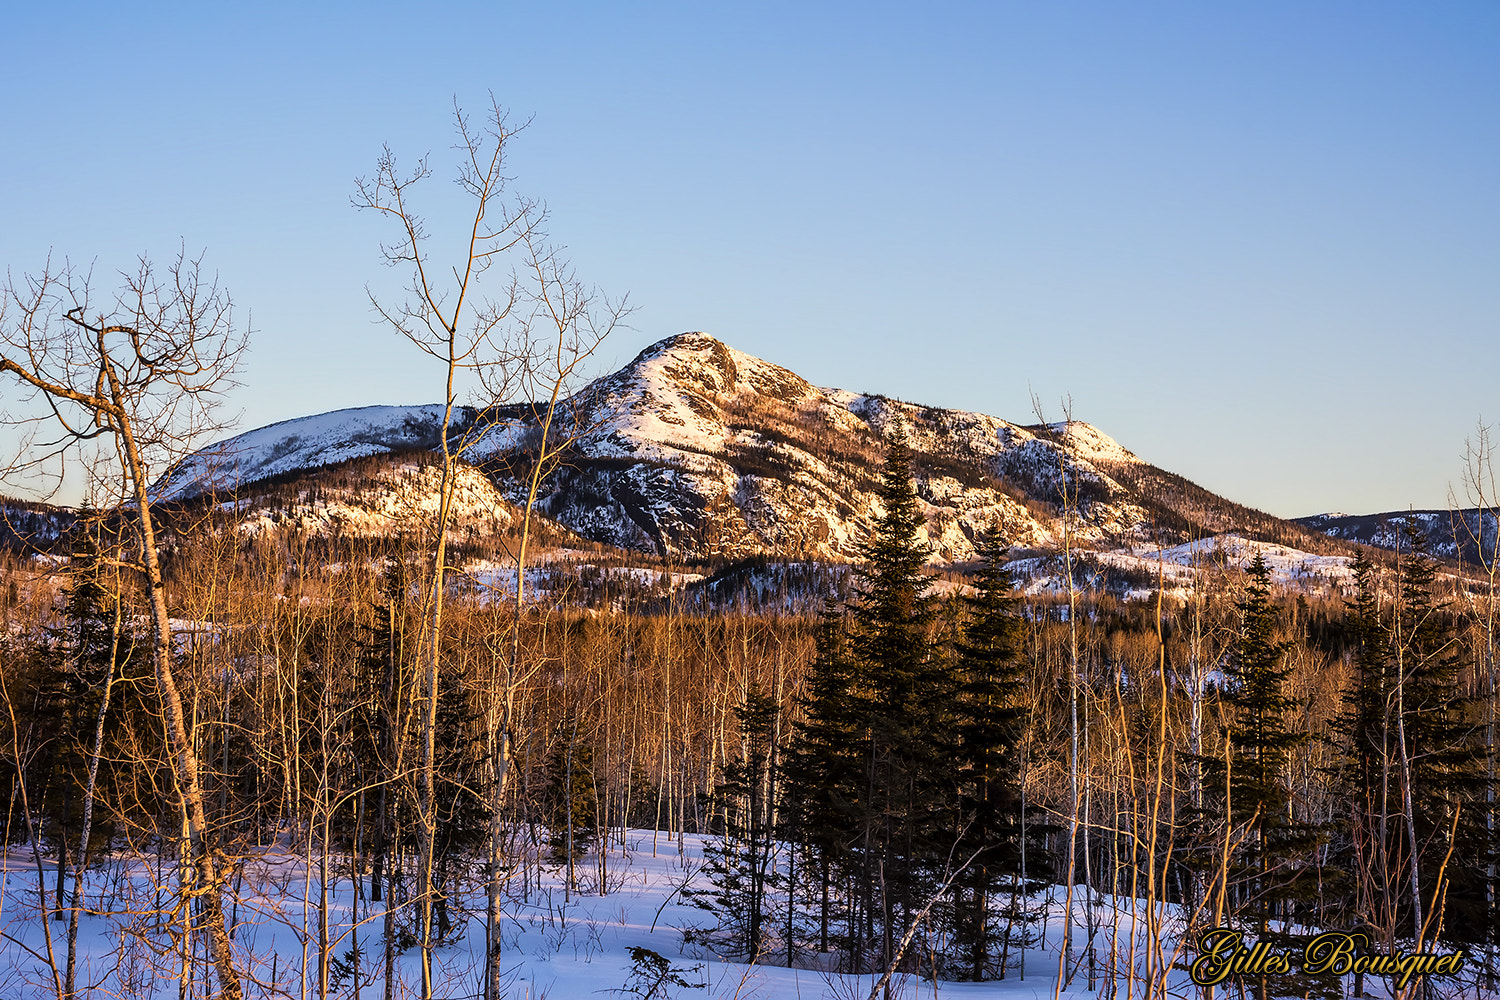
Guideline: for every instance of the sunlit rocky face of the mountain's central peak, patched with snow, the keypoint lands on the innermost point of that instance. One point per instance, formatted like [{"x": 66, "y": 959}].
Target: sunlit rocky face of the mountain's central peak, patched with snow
[{"x": 700, "y": 451}]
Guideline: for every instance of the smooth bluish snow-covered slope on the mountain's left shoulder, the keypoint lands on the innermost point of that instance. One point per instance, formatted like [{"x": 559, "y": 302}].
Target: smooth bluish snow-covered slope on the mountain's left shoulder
[{"x": 304, "y": 445}]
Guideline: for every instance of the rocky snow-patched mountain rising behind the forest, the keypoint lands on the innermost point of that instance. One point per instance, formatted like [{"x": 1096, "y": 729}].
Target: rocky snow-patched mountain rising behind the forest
[{"x": 701, "y": 452}]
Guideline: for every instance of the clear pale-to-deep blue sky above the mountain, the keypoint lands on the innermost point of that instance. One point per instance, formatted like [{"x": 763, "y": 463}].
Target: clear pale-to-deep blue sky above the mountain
[{"x": 1259, "y": 244}]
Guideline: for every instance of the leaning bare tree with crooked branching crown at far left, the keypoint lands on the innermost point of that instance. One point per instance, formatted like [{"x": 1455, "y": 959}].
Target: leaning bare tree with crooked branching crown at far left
[{"x": 137, "y": 377}]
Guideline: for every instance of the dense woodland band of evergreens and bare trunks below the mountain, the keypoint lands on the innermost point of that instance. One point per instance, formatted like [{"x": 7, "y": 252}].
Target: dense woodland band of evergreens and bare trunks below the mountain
[{"x": 893, "y": 782}]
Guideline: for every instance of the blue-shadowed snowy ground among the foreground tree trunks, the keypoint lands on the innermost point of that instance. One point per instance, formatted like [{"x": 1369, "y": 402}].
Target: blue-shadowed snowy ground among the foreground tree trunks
[{"x": 559, "y": 944}]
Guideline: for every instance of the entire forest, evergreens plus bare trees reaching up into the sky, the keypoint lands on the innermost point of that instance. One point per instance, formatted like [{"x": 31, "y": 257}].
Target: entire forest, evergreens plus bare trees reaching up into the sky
[{"x": 926, "y": 777}]
